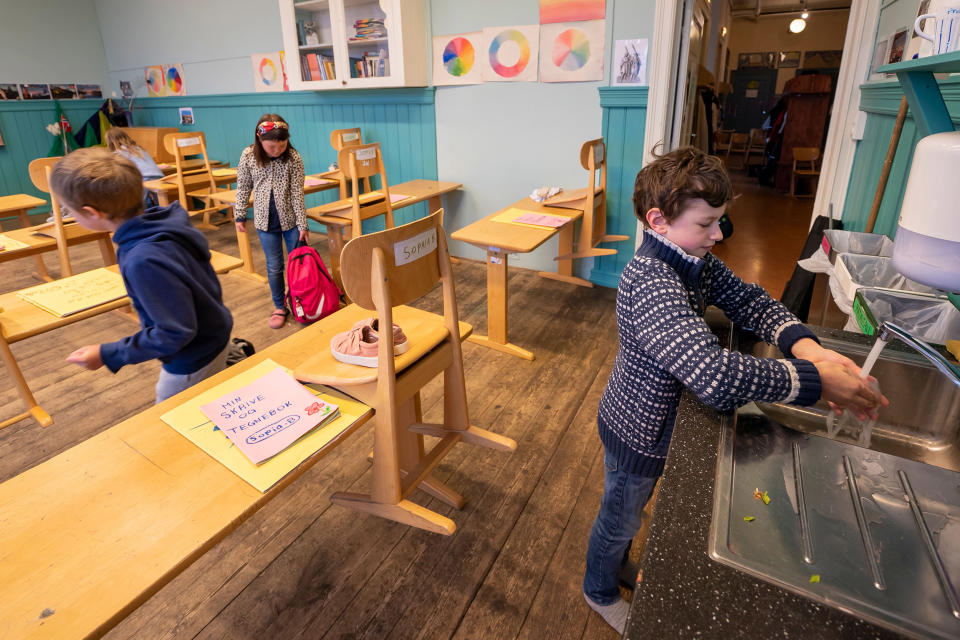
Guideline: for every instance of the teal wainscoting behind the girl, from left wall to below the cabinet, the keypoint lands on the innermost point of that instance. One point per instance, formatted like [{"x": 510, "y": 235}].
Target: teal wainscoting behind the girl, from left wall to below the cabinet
[{"x": 402, "y": 120}]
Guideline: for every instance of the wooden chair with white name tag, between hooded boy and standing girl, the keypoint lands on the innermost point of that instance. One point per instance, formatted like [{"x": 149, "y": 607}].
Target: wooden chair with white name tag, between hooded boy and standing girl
[{"x": 196, "y": 183}]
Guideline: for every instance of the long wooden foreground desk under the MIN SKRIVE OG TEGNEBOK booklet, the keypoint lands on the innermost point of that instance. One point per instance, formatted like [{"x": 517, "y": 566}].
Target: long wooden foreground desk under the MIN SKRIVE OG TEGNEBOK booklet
[{"x": 92, "y": 533}]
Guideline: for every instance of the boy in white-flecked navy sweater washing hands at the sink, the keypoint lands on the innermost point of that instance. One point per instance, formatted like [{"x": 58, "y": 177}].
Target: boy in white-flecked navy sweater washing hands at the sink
[{"x": 665, "y": 345}]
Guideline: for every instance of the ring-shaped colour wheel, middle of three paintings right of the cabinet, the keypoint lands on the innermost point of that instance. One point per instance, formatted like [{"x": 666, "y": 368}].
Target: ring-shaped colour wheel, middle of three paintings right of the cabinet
[{"x": 510, "y": 53}]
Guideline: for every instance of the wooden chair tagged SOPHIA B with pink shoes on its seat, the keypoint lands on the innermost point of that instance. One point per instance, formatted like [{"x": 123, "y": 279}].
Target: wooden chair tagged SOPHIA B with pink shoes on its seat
[{"x": 373, "y": 280}]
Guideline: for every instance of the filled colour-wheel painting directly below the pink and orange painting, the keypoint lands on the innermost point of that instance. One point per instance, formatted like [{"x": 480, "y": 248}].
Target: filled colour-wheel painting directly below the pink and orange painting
[{"x": 572, "y": 51}]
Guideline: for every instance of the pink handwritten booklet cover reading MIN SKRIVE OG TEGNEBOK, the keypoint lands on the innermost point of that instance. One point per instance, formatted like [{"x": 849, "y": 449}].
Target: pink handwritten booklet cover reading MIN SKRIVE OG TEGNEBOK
[{"x": 266, "y": 416}]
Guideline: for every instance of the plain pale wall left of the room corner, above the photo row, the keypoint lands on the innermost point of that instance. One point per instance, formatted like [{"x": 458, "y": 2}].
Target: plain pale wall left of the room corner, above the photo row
[{"x": 48, "y": 41}]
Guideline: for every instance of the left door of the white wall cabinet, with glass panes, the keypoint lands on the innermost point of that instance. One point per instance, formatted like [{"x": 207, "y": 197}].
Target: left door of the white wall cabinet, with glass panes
[{"x": 312, "y": 36}]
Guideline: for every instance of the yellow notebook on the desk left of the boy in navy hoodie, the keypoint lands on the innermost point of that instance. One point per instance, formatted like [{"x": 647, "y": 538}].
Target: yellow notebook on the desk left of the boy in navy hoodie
[{"x": 77, "y": 293}]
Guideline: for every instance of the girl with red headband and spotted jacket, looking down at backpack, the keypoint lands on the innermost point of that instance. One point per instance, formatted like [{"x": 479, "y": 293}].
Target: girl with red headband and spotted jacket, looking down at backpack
[{"x": 273, "y": 170}]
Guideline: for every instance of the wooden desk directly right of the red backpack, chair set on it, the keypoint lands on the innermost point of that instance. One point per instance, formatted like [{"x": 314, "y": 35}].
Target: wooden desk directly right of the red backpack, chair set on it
[{"x": 331, "y": 215}]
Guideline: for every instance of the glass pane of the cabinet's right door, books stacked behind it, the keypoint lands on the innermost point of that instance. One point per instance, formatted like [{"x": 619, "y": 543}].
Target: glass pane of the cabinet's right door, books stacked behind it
[{"x": 367, "y": 39}]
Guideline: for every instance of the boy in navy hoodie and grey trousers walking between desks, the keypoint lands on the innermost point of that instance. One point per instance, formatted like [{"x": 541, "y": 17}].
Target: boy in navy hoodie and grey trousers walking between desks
[{"x": 165, "y": 264}]
